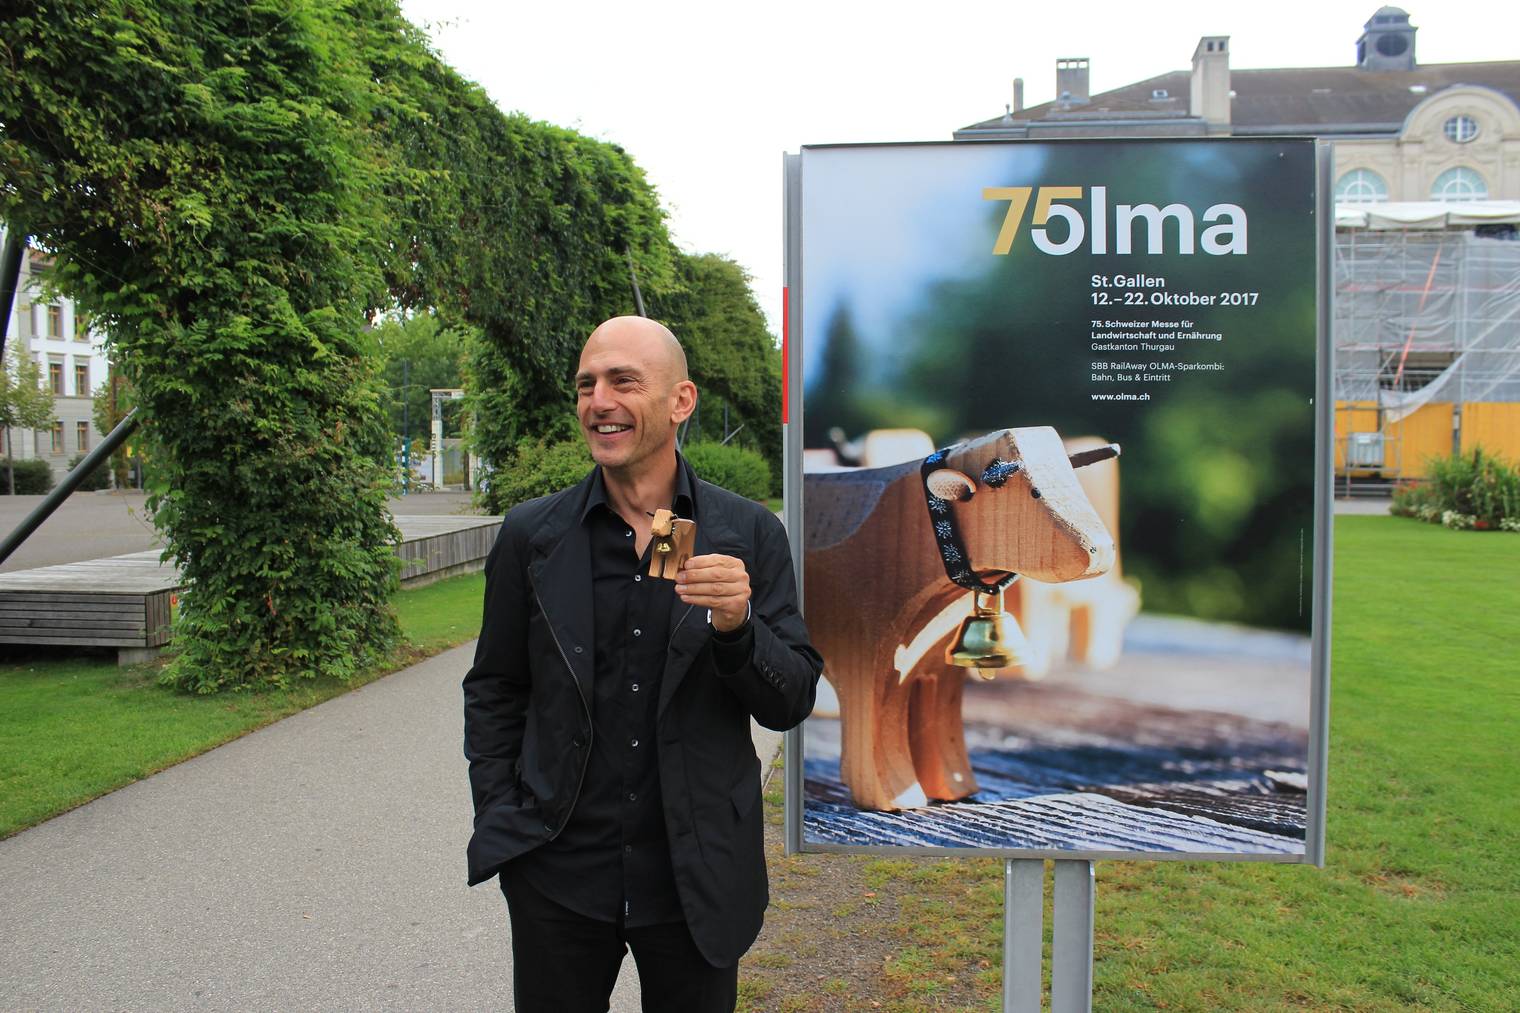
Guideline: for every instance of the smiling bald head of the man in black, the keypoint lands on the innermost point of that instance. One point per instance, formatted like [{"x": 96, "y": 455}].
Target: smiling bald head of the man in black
[{"x": 632, "y": 395}]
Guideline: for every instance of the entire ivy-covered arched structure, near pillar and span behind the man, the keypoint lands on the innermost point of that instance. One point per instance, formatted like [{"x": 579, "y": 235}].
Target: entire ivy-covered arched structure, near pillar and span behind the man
[{"x": 232, "y": 189}]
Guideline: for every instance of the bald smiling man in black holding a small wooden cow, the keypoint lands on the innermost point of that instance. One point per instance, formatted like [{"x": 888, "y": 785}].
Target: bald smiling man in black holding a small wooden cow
[{"x": 607, "y": 713}]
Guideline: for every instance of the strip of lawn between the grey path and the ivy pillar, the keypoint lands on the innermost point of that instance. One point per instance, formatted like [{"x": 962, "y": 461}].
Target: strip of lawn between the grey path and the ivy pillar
[{"x": 77, "y": 728}]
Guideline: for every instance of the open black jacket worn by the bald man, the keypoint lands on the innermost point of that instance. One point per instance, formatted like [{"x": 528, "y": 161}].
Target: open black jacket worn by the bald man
[{"x": 528, "y": 729}]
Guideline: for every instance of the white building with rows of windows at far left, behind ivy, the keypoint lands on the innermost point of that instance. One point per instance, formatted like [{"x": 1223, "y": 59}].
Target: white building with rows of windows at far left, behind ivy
[{"x": 72, "y": 361}]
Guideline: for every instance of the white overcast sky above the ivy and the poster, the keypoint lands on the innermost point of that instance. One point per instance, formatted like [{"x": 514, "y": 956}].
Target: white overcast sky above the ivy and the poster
[{"x": 708, "y": 97}]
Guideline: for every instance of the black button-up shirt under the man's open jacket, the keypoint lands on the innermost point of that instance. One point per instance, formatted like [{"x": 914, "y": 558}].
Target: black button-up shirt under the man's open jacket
[{"x": 613, "y": 860}]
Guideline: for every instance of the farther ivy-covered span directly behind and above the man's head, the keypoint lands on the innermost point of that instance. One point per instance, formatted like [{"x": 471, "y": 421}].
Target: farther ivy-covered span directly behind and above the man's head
[{"x": 527, "y": 232}]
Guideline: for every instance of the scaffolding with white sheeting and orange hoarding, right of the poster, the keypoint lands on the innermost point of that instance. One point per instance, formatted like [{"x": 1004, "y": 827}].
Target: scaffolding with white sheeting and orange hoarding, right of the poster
[{"x": 1423, "y": 322}]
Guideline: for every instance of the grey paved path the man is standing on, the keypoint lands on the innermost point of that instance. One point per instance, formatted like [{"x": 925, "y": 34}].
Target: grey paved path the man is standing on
[{"x": 315, "y": 865}]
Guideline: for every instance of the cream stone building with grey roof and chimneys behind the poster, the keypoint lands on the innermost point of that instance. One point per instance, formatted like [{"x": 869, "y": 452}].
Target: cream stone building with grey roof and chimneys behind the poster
[{"x": 1402, "y": 132}]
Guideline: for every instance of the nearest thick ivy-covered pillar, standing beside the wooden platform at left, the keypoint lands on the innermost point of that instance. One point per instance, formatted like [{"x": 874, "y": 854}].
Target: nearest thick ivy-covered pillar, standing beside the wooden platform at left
[{"x": 209, "y": 183}]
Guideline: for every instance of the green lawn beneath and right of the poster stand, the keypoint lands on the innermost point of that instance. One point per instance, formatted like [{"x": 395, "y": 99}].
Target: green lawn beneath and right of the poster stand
[{"x": 1419, "y": 904}]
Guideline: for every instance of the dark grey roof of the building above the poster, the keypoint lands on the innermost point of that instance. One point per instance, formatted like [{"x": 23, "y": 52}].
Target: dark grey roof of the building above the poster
[{"x": 1311, "y": 100}]
